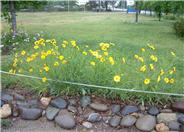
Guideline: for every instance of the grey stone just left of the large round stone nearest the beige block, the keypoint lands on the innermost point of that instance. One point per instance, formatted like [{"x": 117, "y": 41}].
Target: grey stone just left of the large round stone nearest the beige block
[{"x": 128, "y": 121}]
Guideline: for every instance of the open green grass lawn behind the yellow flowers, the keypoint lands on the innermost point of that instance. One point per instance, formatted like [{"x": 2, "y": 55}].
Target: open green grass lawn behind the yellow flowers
[{"x": 119, "y": 28}]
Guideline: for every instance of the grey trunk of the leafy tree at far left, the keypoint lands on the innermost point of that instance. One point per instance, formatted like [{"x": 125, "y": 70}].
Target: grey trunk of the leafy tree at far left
[{"x": 13, "y": 17}]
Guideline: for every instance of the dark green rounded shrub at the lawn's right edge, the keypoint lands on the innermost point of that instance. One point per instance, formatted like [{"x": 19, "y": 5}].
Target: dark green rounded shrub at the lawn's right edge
[{"x": 179, "y": 27}]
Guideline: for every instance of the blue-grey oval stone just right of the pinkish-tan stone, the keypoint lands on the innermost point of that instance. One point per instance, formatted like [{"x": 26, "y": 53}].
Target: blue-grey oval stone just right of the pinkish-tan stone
[{"x": 59, "y": 103}]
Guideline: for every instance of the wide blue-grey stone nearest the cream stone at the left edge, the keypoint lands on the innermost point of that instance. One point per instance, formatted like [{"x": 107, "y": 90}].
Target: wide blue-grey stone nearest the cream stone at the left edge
[{"x": 30, "y": 113}]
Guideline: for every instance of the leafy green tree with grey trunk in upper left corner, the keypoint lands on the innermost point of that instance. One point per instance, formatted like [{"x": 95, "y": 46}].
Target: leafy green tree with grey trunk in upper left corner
[{"x": 9, "y": 9}]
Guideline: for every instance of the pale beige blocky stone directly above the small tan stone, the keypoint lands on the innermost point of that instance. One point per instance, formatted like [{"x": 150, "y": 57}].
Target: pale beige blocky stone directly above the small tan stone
[{"x": 166, "y": 117}]
